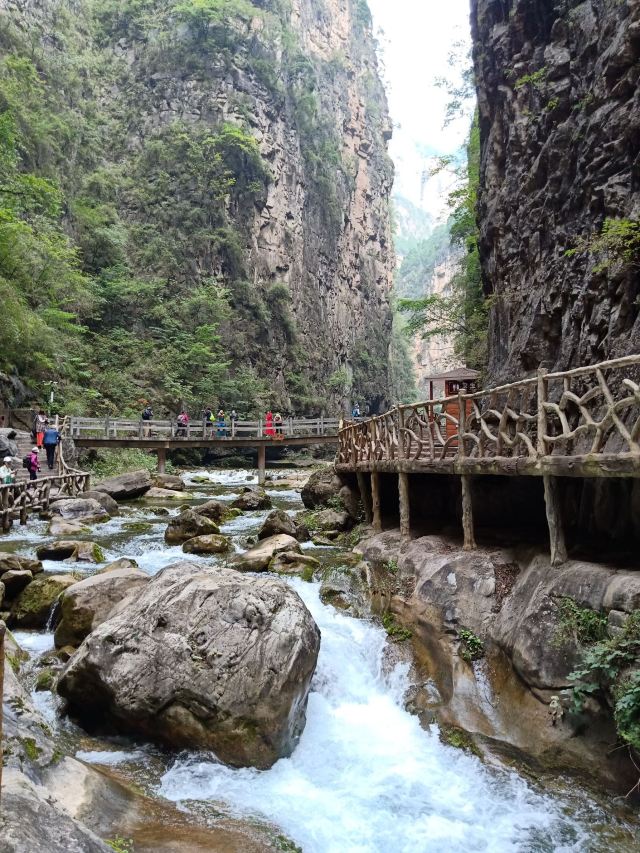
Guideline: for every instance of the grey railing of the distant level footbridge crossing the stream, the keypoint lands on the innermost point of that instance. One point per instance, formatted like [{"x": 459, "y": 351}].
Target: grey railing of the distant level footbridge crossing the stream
[{"x": 123, "y": 428}]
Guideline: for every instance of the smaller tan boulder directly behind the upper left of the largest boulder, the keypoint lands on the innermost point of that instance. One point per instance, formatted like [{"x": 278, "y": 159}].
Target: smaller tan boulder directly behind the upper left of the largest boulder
[{"x": 87, "y": 604}]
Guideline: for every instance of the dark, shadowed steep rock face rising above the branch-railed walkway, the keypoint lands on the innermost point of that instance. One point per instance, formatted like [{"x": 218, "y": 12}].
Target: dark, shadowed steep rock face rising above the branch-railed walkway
[{"x": 559, "y": 119}]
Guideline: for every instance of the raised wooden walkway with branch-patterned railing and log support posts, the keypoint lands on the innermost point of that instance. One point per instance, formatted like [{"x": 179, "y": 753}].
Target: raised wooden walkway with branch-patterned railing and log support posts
[{"x": 578, "y": 423}]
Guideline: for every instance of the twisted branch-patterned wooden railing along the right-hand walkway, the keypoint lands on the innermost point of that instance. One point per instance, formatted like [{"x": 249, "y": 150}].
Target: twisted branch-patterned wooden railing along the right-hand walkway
[{"x": 587, "y": 412}]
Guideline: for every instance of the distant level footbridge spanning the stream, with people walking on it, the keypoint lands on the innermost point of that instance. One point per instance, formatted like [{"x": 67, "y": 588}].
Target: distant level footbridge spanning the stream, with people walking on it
[{"x": 163, "y": 435}]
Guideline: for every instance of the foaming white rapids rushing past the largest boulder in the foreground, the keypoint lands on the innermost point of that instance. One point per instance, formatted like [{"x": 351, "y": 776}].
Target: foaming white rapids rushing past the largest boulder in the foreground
[{"x": 366, "y": 777}]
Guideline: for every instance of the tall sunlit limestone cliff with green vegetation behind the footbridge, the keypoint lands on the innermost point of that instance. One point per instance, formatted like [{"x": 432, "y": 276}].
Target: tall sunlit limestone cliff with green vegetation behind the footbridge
[{"x": 231, "y": 156}]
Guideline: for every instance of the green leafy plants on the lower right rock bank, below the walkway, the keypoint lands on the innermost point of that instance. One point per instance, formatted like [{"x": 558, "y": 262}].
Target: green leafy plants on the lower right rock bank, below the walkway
[{"x": 611, "y": 666}]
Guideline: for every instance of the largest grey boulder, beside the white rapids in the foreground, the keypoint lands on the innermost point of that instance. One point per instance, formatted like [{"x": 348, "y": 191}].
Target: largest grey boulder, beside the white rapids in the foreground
[{"x": 201, "y": 659}]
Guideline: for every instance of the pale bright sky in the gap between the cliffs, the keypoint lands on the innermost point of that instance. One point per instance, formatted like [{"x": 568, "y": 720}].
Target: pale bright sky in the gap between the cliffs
[{"x": 416, "y": 38}]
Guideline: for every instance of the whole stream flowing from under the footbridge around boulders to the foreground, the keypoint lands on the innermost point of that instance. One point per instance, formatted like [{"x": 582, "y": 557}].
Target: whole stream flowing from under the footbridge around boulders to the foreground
[{"x": 365, "y": 777}]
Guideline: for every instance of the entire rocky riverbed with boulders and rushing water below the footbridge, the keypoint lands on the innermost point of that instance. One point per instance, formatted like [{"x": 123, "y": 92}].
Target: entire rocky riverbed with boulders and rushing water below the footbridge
[{"x": 357, "y": 771}]
